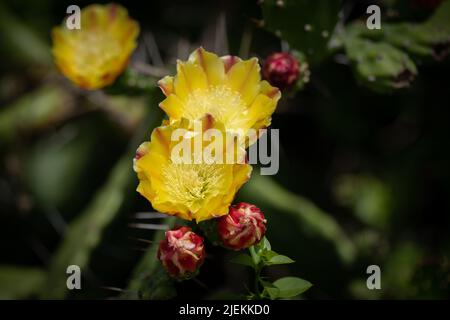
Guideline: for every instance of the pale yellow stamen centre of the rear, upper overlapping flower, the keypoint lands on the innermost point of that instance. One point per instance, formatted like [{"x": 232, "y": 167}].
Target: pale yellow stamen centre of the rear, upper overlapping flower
[{"x": 224, "y": 104}]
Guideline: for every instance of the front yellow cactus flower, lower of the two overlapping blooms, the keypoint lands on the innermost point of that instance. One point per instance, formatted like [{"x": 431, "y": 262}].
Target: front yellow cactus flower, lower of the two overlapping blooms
[{"x": 191, "y": 191}]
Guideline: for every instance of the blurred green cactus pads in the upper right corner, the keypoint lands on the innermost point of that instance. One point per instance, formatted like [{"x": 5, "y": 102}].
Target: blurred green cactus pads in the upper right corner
[{"x": 380, "y": 57}]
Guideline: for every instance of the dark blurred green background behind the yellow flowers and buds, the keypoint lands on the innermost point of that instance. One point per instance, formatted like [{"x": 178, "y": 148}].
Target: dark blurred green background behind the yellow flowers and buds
[{"x": 364, "y": 176}]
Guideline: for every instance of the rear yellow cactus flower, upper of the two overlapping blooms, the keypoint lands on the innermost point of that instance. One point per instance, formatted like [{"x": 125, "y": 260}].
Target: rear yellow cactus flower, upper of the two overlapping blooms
[{"x": 228, "y": 88}]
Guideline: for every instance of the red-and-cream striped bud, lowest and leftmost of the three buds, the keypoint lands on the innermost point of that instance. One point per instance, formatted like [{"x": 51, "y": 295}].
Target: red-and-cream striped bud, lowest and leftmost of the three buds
[{"x": 181, "y": 252}]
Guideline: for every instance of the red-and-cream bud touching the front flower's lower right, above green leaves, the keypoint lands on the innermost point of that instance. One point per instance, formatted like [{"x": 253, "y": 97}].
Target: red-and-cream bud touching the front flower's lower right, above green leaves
[{"x": 243, "y": 227}]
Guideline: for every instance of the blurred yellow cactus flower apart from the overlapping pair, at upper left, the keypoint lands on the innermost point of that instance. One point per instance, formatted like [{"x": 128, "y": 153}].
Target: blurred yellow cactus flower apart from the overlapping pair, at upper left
[{"x": 95, "y": 55}]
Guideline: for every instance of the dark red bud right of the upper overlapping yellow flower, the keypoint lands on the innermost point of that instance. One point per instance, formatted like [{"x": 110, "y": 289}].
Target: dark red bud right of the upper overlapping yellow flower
[{"x": 281, "y": 69}]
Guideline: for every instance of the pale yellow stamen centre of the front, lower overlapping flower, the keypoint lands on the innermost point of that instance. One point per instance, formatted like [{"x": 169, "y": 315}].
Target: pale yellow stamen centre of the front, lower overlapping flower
[{"x": 190, "y": 184}]
